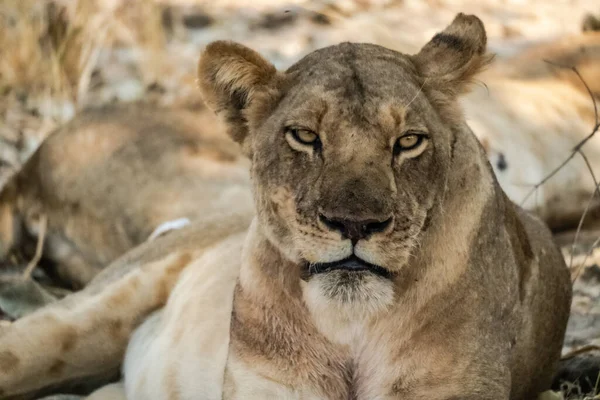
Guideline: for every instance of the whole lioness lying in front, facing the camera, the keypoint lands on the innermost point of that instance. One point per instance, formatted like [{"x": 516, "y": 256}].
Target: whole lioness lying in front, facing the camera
[{"x": 384, "y": 260}]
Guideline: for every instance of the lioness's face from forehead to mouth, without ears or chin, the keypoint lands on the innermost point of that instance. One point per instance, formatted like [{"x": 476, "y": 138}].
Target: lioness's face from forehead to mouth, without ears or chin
[{"x": 350, "y": 160}]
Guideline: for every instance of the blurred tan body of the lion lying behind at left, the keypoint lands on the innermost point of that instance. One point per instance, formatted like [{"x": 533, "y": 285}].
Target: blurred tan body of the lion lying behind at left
[{"x": 176, "y": 164}]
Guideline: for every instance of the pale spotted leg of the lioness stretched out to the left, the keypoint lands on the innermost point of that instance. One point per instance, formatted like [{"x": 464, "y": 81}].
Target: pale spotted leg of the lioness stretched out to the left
[{"x": 85, "y": 334}]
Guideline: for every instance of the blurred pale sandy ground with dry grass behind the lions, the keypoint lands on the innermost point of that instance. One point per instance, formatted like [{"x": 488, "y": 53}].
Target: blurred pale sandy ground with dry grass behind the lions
[{"x": 58, "y": 60}]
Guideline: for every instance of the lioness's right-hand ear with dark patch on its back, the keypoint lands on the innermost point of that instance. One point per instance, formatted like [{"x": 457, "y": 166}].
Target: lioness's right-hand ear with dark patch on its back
[{"x": 454, "y": 56}]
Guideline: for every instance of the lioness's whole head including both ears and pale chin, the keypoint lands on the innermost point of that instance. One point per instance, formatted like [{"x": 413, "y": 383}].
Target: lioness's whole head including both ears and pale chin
[{"x": 351, "y": 148}]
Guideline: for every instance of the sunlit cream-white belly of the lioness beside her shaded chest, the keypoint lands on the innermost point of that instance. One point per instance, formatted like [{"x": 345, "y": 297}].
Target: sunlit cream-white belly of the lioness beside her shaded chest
[{"x": 181, "y": 351}]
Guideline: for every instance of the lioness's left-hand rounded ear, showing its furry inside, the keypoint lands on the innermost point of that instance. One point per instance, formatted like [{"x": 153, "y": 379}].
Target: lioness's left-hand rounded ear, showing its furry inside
[{"x": 236, "y": 82}]
